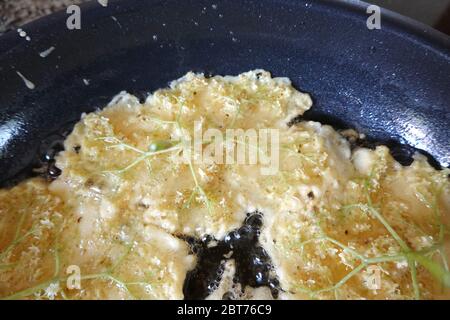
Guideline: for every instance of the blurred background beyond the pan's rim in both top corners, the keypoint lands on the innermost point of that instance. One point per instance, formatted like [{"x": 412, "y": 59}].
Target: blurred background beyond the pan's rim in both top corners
[{"x": 436, "y": 13}]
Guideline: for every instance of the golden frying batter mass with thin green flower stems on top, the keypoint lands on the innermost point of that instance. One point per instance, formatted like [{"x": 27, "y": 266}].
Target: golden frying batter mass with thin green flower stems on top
[{"x": 337, "y": 223}]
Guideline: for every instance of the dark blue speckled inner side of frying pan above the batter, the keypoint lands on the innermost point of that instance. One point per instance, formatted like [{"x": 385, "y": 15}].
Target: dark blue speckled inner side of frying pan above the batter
[{"x": 391, "y": 84}]
